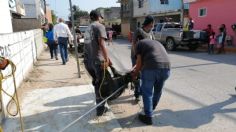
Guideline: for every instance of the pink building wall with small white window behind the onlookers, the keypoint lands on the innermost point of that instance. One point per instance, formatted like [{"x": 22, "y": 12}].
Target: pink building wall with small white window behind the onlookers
[{"x": 218, "y": 12}]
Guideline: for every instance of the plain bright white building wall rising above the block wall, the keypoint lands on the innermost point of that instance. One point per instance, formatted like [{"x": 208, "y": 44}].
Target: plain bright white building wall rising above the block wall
[{"x": 5, "y": 22}]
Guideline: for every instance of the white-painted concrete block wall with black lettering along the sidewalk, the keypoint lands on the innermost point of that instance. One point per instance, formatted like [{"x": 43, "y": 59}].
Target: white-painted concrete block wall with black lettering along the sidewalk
[{"x": 22, "y": 48}]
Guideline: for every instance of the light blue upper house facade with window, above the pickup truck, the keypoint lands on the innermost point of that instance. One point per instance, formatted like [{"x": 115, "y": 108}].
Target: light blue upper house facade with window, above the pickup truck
[{"x": 161, "y": 10}]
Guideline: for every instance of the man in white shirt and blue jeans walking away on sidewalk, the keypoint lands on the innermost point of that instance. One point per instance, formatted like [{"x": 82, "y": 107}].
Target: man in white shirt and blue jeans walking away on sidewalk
[{"x": 61, "y": 35}]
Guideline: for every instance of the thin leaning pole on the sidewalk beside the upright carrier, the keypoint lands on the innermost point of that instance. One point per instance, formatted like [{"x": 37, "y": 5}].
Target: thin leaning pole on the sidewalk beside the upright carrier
[{"x": 75, "y": 40}]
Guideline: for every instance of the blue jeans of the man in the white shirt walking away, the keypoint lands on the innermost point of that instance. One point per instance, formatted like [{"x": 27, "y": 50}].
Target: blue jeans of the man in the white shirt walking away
[{"x": 63, "y": 44}]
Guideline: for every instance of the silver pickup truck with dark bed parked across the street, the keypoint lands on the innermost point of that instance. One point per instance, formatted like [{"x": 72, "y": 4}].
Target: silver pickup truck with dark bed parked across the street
[{"x": 172, "y": 35}]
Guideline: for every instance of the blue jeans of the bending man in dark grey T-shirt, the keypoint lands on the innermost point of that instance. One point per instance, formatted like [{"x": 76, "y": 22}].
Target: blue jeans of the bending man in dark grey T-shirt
[{"x": 154, "y": 78}]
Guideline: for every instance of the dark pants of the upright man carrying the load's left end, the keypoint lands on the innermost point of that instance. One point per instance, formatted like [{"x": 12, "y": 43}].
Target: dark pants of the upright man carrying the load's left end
[{"x": 95, "y": 71}]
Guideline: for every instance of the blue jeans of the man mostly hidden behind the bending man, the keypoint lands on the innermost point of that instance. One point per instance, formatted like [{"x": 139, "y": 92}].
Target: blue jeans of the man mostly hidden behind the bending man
[{"x": 137, "y": 91}]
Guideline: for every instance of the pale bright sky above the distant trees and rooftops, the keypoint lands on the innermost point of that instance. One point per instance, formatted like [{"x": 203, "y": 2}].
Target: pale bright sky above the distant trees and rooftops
[{"x": 61, "y": 7}]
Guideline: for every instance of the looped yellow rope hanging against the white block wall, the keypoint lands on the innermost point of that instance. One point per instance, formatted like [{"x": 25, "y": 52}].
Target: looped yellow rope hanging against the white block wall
[{"x": 14, "y": 98}]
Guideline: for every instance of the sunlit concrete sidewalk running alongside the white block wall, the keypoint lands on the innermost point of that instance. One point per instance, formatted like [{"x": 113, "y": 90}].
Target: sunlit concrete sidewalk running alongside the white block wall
[{"x": 53, "y": 96}]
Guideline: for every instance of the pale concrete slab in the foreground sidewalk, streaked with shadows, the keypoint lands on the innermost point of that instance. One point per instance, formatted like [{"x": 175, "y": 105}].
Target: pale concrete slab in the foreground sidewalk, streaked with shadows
[{"x": 60, "y": 113}]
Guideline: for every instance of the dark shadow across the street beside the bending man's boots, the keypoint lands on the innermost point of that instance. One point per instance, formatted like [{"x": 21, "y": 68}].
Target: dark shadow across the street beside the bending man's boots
[{"x": 191, "y": 118}]
